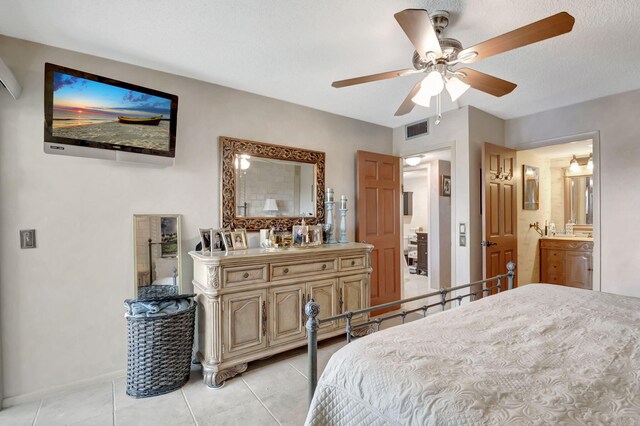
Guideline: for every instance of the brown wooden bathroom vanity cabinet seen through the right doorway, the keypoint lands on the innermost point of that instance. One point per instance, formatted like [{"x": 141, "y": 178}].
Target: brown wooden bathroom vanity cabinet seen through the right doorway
[{"x": 567, "y": 261}]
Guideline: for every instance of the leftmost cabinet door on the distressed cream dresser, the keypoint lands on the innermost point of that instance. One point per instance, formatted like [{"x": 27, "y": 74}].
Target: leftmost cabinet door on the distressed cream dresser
[{"x": 244, "y": 323}]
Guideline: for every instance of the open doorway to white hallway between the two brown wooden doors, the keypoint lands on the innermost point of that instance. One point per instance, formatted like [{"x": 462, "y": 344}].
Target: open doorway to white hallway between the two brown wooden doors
[{"x": 426, "y": 222}]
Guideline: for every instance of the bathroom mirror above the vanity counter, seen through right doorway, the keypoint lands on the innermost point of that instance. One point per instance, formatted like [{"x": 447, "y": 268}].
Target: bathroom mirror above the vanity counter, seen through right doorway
[{"x": 578, "y": 199}]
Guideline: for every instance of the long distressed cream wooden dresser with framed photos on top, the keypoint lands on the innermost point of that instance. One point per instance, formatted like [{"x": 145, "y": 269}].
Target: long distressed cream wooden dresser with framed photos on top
[{"x": 251, "y": 302}]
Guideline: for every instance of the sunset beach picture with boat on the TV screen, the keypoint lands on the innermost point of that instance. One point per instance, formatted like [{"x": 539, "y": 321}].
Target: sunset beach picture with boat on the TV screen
[{"x": 98, "y": 112}]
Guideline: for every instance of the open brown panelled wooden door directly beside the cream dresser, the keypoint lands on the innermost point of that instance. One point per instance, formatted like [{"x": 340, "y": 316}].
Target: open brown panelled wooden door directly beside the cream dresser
[{"x": 378, "y": 182}]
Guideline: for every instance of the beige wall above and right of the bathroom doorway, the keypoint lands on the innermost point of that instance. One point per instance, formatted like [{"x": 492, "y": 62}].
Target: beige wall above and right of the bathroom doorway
[{"x": 613, "y": 120}]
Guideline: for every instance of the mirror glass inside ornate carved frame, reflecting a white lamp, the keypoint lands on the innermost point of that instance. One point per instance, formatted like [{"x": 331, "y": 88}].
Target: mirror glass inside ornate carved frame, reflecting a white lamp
[{"x": 268, "y": 187}]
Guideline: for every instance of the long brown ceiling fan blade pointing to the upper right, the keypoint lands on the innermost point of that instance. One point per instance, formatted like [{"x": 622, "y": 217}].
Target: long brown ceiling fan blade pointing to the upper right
[{"x": 552, "y": 26}]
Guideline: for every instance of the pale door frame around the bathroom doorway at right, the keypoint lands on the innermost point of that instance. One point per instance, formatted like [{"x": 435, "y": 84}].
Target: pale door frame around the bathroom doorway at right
[{"x": 597, "y": 224}]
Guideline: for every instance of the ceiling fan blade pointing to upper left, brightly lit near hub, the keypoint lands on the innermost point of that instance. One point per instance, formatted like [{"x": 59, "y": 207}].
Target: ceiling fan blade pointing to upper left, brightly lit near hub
[{"x": 416, "y": 24}]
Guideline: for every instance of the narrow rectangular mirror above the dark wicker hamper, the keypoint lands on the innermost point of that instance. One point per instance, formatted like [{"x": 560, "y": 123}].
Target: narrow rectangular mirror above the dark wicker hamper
[{"x": 157, "y": 248}]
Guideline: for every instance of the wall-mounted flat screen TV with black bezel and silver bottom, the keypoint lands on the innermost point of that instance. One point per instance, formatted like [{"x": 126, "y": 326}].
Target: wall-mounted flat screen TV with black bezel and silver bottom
[{"x": 93, "y": 116}]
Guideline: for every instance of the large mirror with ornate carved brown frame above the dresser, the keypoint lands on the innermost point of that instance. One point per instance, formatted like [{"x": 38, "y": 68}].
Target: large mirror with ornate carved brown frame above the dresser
[{"x": 266, "y": 185}]
